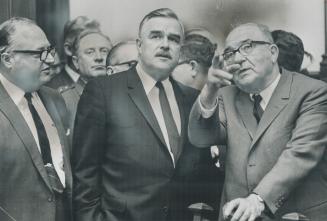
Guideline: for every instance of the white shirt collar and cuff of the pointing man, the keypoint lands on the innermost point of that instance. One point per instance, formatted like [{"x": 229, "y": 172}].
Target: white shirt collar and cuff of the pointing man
[{"x": 265, "y": 94}]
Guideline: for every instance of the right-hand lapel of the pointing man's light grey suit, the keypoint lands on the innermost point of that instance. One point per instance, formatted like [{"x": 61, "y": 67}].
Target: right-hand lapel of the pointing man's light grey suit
[{"x": 277, "y": 102}]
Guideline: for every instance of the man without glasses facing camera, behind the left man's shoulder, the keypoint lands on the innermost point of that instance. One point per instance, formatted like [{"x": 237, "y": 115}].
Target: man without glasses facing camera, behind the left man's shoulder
[{"x": 89, "y": 50}]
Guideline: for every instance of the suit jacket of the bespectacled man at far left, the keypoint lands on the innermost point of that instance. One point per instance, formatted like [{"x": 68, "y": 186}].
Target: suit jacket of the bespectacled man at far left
[{"x": 25, "y": 191}]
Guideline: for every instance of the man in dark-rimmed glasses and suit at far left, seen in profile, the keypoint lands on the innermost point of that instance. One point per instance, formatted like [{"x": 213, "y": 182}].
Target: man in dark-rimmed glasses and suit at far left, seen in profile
[{"x": 36, "y": 178}]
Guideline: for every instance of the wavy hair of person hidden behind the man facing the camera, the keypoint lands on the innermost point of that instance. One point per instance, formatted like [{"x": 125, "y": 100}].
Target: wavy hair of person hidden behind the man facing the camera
[{"x": 74, "y": 27}]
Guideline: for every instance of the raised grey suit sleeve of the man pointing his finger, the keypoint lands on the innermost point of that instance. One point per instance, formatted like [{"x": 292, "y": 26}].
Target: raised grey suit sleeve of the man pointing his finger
[{"x": 204, "y": 132}]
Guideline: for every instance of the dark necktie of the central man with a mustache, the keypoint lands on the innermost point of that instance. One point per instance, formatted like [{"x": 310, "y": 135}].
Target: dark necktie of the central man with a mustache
[{"x": 169, "y": 120}]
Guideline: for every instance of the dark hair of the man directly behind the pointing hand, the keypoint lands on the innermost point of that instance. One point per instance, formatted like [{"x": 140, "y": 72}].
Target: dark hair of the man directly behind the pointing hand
[{"x": 199, "y": 48}]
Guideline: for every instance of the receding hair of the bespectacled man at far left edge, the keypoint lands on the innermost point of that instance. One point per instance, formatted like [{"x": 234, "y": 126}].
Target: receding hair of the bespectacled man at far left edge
[{"x": 9, "y": 27}]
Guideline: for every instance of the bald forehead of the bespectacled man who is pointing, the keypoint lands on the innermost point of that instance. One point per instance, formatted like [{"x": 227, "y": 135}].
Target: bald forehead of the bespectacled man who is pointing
[{"x": 243, "y": 33}]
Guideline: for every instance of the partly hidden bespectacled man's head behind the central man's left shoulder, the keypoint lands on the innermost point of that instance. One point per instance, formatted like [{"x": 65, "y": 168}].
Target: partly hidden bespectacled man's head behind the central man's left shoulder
[{"x": 122, "y": 57}]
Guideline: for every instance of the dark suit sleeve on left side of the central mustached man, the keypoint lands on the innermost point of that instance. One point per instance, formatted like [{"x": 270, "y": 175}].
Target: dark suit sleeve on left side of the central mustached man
[{"x": 88, "y": 146}]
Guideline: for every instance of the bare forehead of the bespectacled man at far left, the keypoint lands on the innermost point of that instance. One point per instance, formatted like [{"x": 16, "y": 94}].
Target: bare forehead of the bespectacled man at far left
[{"x": 28, "y": 37}]
